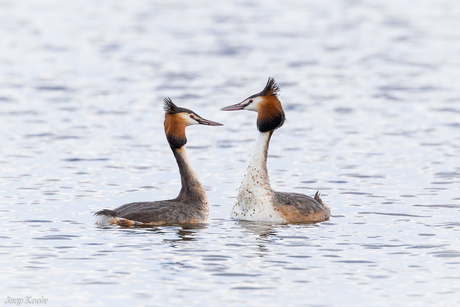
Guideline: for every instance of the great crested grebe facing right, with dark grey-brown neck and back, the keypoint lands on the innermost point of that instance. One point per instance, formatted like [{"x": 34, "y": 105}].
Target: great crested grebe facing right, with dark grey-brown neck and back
[{"x": 191, "y": 205}]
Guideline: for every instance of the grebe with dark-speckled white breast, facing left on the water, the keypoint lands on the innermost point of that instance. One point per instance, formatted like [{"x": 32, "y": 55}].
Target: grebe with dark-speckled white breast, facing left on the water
[{"x": 256, "y": 199}]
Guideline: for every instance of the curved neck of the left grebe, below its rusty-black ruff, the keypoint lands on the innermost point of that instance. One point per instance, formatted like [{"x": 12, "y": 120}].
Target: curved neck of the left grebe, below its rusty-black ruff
[{"x": 191, "y": 186}]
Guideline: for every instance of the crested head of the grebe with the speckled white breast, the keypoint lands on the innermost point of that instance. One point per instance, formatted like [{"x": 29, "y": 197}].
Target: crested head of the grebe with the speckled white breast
[{"x": 266, "y": 104}]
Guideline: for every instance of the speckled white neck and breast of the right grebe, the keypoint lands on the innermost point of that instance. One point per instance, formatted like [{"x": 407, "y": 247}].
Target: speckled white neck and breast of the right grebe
[{"x": 255, "y": 196}]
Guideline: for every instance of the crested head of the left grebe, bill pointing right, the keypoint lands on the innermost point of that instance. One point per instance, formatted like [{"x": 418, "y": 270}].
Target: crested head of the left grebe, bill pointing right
[{"x": 177, "y": 118}]
